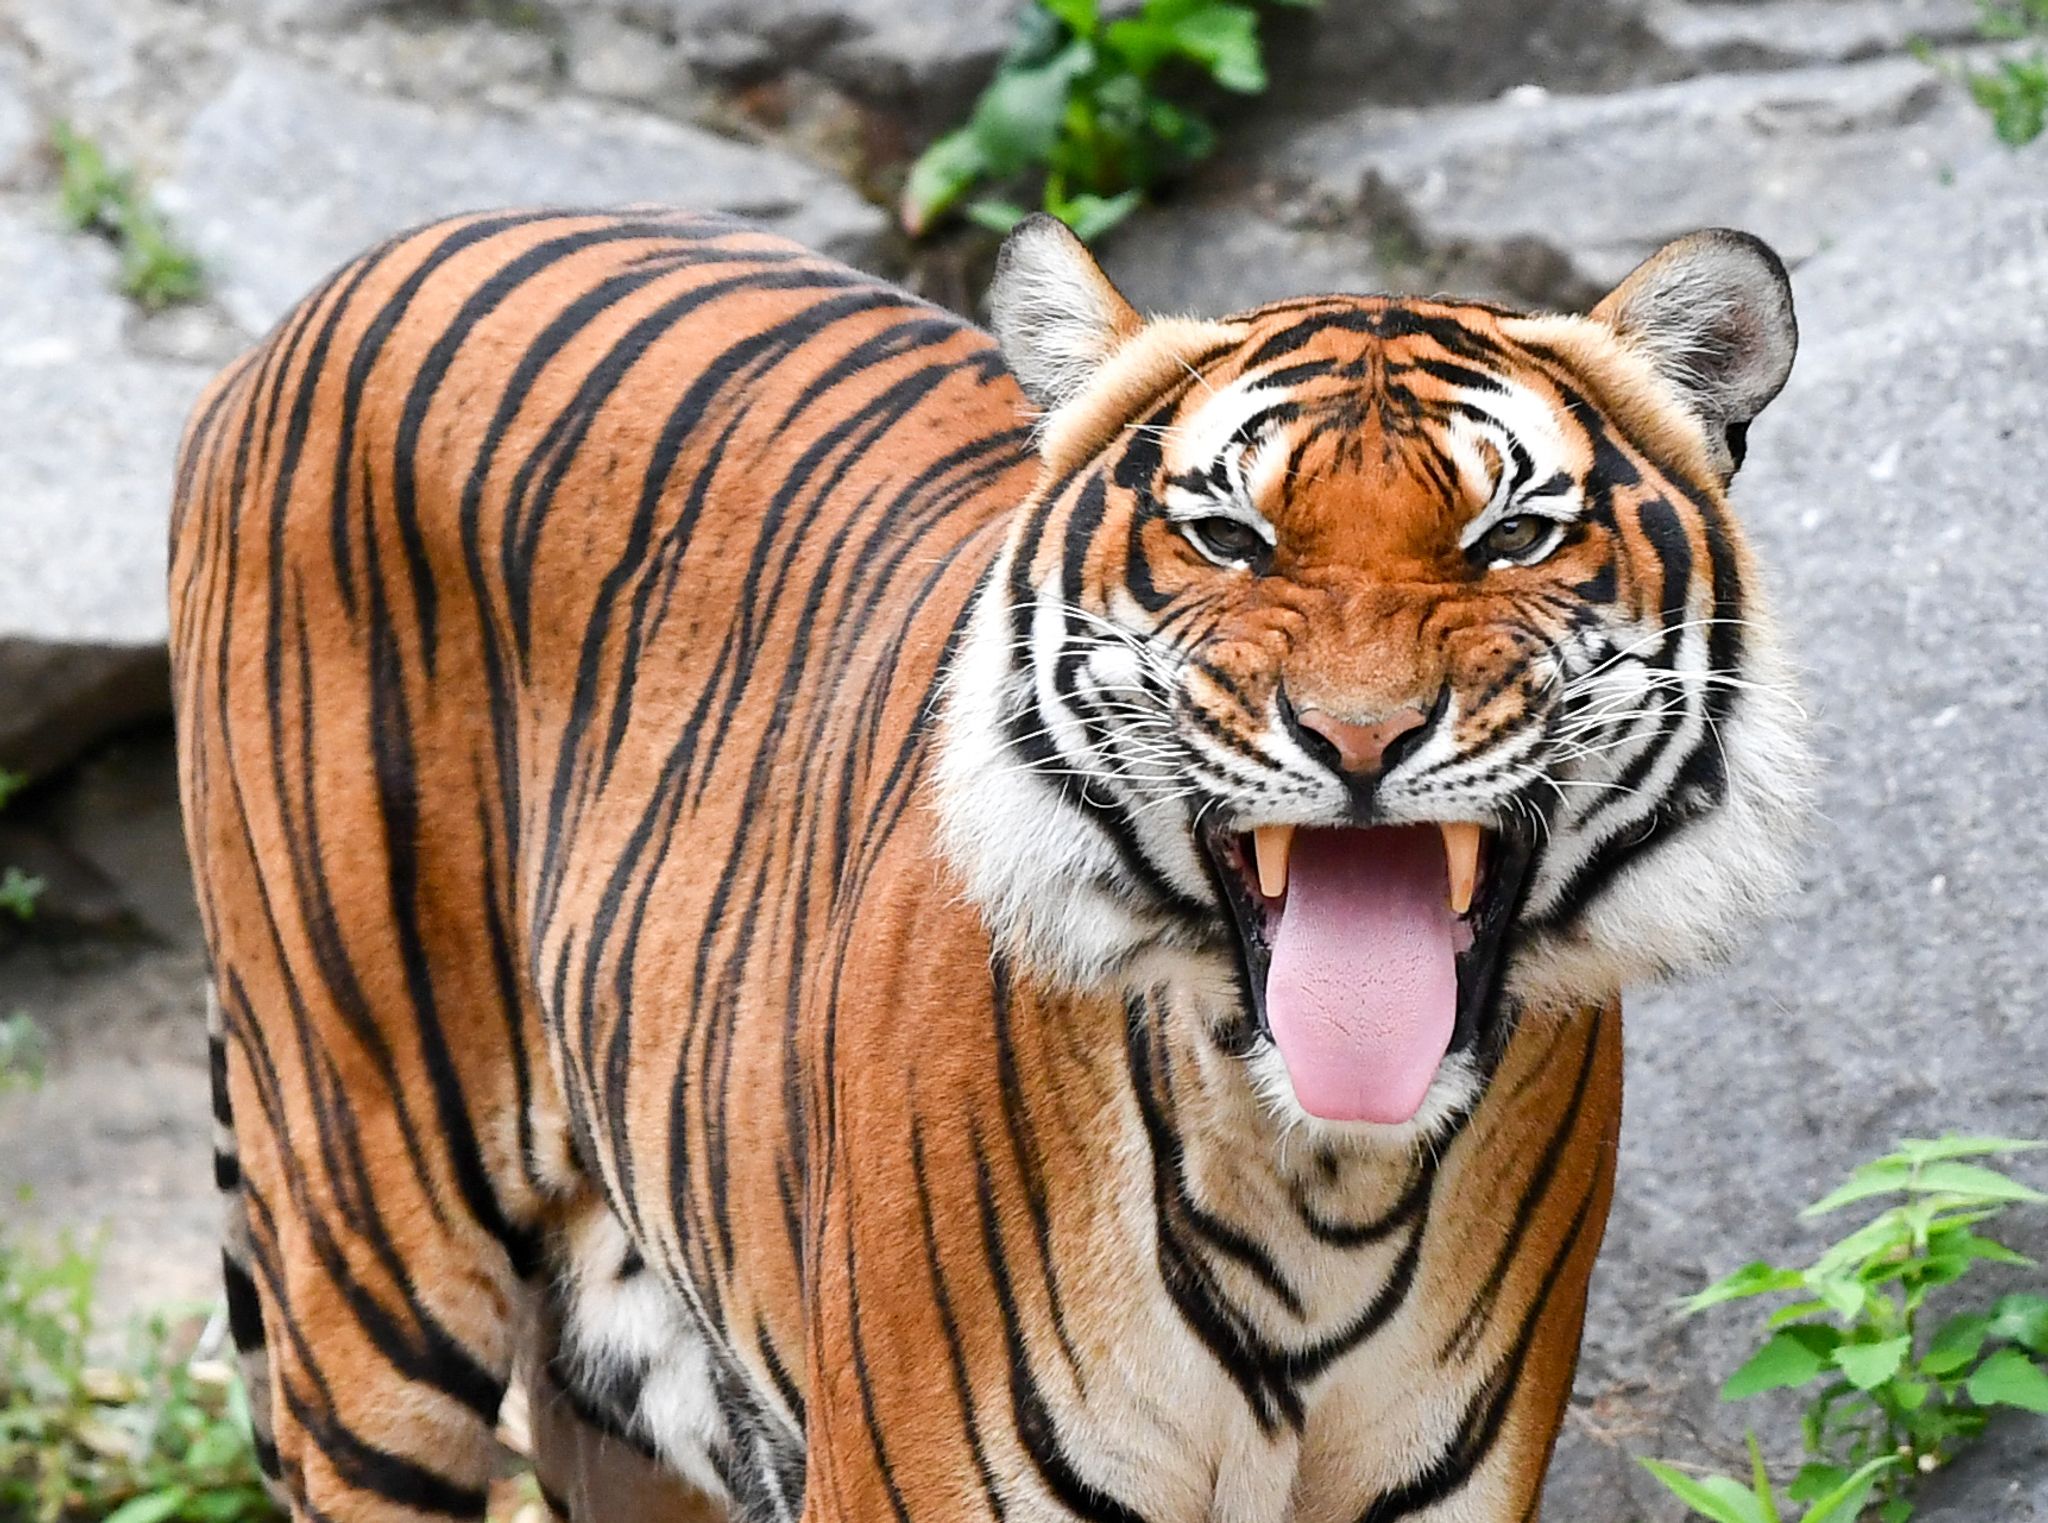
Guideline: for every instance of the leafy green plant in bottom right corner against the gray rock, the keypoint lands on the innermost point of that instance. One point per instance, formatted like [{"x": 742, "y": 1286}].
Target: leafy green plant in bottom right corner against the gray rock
[{"x": 1895, "y": 1393}]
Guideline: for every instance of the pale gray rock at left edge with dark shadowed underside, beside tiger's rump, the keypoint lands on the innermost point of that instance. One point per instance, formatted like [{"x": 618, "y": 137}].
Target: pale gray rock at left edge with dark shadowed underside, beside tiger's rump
[{"x": 89, "y": 443}]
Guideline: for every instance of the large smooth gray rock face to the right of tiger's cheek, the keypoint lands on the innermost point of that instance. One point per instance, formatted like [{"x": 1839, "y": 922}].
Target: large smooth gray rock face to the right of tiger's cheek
[{"x": 1895, "y": 490}]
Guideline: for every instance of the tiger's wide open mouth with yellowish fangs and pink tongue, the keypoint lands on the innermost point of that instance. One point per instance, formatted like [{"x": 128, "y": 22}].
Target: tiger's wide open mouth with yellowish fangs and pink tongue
[{"x": 1371, "y": 953}]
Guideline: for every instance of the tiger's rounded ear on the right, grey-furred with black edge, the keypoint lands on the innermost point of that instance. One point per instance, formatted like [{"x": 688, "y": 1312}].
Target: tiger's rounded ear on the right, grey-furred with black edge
[{"x": 1713, "y": 314}]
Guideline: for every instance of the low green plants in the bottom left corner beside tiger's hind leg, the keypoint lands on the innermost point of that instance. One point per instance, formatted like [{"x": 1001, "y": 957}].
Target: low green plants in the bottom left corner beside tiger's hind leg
[{"x": 159, "y": 1438}]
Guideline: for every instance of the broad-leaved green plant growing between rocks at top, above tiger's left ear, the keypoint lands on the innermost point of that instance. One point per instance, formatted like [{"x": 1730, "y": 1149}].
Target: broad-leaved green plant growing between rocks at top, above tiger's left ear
[{"x": 1097, "y": 107}]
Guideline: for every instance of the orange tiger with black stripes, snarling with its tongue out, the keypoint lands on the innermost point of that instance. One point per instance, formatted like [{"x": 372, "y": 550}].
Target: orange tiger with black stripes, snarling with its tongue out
[{"x": 882, "y": 920}]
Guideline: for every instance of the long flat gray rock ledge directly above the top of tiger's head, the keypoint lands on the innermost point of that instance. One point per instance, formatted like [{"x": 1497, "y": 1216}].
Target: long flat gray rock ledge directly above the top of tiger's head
[{"x": 1795, "y": 157}]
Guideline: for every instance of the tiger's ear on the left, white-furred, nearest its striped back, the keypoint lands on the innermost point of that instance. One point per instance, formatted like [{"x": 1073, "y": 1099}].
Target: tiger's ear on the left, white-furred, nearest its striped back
[{"x": 1054, "y": 310}]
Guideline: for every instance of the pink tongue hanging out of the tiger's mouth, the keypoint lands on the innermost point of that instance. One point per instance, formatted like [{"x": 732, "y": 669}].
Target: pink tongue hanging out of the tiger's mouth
[{"x": 1363, "y": 990}]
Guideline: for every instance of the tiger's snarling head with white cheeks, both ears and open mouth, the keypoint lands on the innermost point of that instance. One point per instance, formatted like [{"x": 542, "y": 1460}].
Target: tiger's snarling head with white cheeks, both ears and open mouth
[{"x": 1385, "y": 668}]
